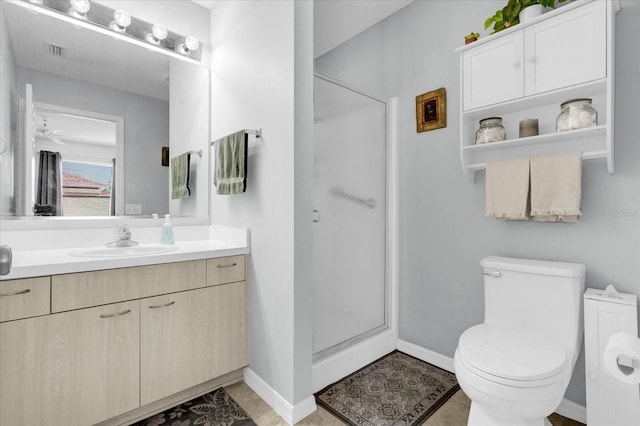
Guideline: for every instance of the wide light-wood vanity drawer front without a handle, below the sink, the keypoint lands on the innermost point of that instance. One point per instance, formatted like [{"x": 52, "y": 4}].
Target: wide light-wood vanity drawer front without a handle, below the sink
[{"x": 74, "y": 291}]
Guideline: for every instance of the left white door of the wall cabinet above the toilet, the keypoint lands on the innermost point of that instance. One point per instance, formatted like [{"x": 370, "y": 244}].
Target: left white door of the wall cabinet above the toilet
[{"x": 493, "y": 72}]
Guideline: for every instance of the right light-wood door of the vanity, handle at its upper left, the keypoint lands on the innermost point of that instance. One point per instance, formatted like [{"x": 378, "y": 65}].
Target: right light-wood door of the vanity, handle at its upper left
[{"x": 190, "y": 337}]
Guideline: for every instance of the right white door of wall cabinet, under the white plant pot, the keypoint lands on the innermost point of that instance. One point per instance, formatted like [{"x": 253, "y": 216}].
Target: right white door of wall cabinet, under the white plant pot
[{"x": 568, "y": 49}]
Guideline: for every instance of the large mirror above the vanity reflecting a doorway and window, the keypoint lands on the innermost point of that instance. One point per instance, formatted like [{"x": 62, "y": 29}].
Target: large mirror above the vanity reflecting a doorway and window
[{"x": 89, "y": 123}]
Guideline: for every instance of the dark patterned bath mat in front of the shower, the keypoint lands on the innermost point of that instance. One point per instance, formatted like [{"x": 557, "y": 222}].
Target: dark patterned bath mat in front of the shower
[{"x": 397, "y": 389}]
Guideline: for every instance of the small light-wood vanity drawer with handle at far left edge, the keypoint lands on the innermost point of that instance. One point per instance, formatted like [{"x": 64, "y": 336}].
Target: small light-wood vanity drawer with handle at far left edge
[{"x": 24, "y": 298}]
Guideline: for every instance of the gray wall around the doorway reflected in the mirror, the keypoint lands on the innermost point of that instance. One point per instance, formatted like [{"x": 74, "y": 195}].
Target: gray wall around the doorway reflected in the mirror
[{"x": 146, "y": 130}]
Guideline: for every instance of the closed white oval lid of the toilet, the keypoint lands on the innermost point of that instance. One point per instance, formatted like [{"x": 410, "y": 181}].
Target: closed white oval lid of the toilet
[{"x": 511, "y": 353}]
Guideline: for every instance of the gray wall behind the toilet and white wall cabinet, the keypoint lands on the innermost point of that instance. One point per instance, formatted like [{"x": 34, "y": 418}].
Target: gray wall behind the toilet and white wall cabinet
[{"x": 443, "y": 230}]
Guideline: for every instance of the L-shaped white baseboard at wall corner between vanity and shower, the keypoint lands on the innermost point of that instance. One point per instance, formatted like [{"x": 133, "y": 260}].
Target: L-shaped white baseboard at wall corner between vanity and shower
[{"x": 290, "y": 413}]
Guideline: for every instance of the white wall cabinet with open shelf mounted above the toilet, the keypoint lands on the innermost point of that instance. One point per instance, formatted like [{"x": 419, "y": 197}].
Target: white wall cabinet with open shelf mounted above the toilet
[{"x": 527, "y": 71}]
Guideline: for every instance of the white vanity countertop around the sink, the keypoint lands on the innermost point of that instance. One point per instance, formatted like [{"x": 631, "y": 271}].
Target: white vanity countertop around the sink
[{"x": 35, "y": 263}]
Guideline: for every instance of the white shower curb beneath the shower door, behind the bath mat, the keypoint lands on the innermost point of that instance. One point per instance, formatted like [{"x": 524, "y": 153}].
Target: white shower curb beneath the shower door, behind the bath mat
[{"x": 345, "y": 362}]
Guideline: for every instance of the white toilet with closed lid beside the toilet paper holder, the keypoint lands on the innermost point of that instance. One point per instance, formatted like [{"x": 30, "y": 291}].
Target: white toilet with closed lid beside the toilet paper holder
[{"x": 515, "y": 367}]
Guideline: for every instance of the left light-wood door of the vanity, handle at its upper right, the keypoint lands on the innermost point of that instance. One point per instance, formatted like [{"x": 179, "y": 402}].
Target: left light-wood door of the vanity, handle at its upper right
[{"x": 73, "y": 368}]
